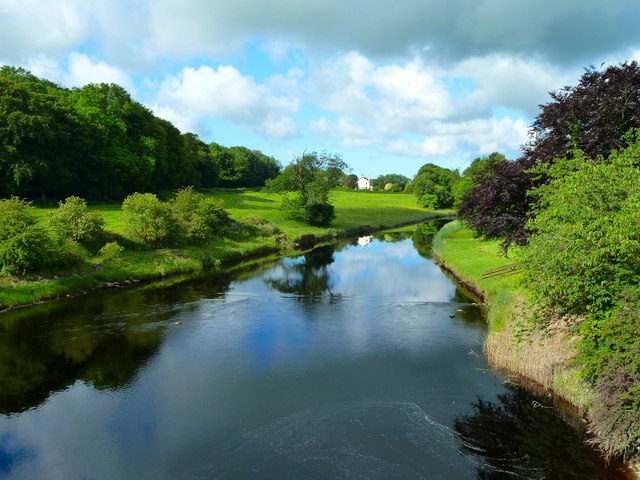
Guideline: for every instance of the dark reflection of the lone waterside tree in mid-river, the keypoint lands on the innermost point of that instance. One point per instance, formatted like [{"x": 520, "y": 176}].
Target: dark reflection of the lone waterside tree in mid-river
[{"x": 309, "y": 279}]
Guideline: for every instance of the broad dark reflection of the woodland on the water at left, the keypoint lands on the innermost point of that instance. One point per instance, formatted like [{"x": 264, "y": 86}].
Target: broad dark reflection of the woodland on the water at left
[{"x": 103, "y": 339}]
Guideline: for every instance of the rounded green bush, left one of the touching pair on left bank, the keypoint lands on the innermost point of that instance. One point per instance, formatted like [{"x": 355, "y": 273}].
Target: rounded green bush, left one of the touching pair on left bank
[{"x": 148, "y": 218}]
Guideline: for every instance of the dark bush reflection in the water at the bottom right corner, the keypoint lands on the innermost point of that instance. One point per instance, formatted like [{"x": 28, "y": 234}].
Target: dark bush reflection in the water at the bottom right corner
[{"x": 518, "y": 437}]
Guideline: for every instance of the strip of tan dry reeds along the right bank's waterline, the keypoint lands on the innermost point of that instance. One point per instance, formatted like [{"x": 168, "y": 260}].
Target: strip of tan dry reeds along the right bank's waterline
[{"x": 511, "y": 358}]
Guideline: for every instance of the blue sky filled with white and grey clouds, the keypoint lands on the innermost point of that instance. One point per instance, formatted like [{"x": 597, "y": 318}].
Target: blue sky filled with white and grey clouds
[{"x": 390, "y": 86}]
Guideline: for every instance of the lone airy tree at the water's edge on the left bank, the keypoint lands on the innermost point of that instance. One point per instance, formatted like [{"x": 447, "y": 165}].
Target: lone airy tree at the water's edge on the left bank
[{"x": 314, "y": 175}]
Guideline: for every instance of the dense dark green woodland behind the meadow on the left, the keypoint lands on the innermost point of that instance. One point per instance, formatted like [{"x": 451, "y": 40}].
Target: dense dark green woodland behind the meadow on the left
[{"x": 98, "y": 143}]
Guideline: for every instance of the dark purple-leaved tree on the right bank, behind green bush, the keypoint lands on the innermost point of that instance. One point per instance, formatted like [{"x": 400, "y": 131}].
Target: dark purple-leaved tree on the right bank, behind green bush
[{"x": 593, "y": 117}]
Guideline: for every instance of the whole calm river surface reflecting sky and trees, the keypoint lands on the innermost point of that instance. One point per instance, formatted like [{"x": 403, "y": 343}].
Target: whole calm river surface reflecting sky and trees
[{"x": 350, "y": 362}]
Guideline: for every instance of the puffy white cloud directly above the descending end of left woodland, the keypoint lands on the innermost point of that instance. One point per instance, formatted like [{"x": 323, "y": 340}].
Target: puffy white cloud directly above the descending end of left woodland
[{"x": 194, "y": 94}]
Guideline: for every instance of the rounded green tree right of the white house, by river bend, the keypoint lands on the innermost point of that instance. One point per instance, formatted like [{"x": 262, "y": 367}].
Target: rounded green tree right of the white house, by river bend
[{"x": 433, "y": 186}]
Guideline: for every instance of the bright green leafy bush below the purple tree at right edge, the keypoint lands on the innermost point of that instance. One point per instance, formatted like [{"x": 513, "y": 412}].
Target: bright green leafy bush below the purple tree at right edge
[{"x": 585, "y": 238}]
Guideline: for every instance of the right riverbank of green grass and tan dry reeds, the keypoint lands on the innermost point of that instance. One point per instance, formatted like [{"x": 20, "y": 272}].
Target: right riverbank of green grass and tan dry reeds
[{"x": 537, "y": 359}]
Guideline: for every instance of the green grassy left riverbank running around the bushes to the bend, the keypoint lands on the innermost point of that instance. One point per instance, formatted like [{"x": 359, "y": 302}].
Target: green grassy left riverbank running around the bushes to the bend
[{"x": 261, "y": 229}]
